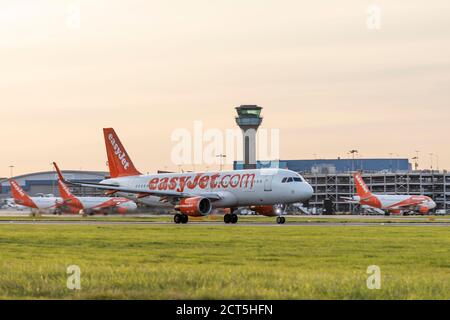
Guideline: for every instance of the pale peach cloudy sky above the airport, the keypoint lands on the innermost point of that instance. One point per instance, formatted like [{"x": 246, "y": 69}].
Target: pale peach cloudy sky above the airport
[{"x": 328, "y": 80}]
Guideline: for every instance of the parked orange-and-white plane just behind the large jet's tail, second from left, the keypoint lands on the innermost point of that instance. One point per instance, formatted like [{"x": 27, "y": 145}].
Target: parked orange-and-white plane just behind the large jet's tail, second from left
[{"x": 90, "y": 205}]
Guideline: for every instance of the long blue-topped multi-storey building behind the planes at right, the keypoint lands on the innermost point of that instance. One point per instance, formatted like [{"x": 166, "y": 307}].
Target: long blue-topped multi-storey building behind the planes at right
[{"x": 332, "y": 179}]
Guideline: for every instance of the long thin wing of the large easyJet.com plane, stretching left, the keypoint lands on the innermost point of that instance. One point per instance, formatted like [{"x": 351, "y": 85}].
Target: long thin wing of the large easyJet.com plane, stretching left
[{"x": 144, "y": 193}]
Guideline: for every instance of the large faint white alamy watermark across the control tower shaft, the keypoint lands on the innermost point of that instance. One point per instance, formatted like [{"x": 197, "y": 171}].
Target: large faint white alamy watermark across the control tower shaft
[{"x": 200, "y": 146}]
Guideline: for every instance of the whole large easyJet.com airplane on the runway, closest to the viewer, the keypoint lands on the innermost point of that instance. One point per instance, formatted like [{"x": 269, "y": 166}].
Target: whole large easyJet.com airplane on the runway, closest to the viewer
[{"x": 196, "y": 194}]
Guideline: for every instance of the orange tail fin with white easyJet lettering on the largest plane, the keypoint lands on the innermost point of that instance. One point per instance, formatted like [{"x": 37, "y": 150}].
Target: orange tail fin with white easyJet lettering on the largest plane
[{"x": 120, "y": 164}]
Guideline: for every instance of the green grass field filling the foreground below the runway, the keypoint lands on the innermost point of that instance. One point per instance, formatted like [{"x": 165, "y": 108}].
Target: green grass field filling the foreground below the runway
[{"x": 229, "y": 262}]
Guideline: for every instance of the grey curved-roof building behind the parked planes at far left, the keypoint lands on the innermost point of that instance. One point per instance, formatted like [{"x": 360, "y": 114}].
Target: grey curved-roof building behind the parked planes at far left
[{"x": 44, "y": 183}]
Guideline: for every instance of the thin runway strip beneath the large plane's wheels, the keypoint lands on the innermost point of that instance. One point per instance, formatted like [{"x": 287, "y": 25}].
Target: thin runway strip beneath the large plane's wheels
[{"x": 221, "y": 224}]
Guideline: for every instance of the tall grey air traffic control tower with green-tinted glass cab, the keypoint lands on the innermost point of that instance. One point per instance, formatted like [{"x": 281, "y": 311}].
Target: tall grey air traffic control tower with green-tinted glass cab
[{"x": 249, "y": 119}]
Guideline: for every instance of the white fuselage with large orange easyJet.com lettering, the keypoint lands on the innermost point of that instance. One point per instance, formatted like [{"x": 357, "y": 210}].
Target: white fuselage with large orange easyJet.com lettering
[{"x": 235, "y": 188}]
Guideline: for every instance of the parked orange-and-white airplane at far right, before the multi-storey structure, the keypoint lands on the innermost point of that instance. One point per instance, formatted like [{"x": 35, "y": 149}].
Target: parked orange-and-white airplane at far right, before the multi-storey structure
[{"x": 395, "y": 204}]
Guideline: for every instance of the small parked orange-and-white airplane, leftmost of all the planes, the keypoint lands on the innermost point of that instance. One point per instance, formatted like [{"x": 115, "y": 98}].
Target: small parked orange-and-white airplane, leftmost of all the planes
[{"x": 36, "y": 204}]
